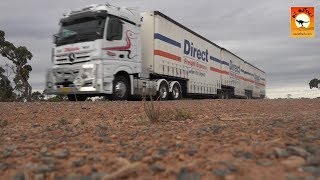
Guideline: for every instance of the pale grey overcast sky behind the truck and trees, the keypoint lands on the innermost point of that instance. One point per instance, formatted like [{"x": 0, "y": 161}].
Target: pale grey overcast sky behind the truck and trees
[{"x": 257, "y": 31}]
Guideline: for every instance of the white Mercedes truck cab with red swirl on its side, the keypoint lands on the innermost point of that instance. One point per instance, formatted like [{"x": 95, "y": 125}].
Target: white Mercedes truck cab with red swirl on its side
[{"x": 97, "y": 52}]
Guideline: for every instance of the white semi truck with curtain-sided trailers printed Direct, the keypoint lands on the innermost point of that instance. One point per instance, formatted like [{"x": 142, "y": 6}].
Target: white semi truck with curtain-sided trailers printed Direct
[{"x": 102, "y": 50}]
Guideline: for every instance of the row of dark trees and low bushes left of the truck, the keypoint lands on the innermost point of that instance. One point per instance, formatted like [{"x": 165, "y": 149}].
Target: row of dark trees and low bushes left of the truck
[{"x": 15, "y": 72}]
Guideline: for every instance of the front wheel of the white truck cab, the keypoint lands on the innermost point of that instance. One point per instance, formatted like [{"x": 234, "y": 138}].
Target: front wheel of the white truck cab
[{"x": 121, "y": 88}]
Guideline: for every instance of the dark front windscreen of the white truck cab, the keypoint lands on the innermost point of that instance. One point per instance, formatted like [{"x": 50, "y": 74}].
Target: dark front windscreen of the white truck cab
[{"x": 80, "y": 30}]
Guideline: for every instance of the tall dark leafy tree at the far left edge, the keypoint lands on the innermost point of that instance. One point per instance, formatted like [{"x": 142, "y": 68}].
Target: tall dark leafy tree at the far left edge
[{"x": 19, "y": 57}]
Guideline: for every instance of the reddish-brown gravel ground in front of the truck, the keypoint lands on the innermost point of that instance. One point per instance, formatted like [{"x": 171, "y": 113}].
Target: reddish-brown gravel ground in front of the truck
[{"x": 196, "y": 139}]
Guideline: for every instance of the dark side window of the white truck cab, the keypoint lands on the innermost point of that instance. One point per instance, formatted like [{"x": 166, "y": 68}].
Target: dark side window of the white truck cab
[{"x": 115, "y": 28}]
